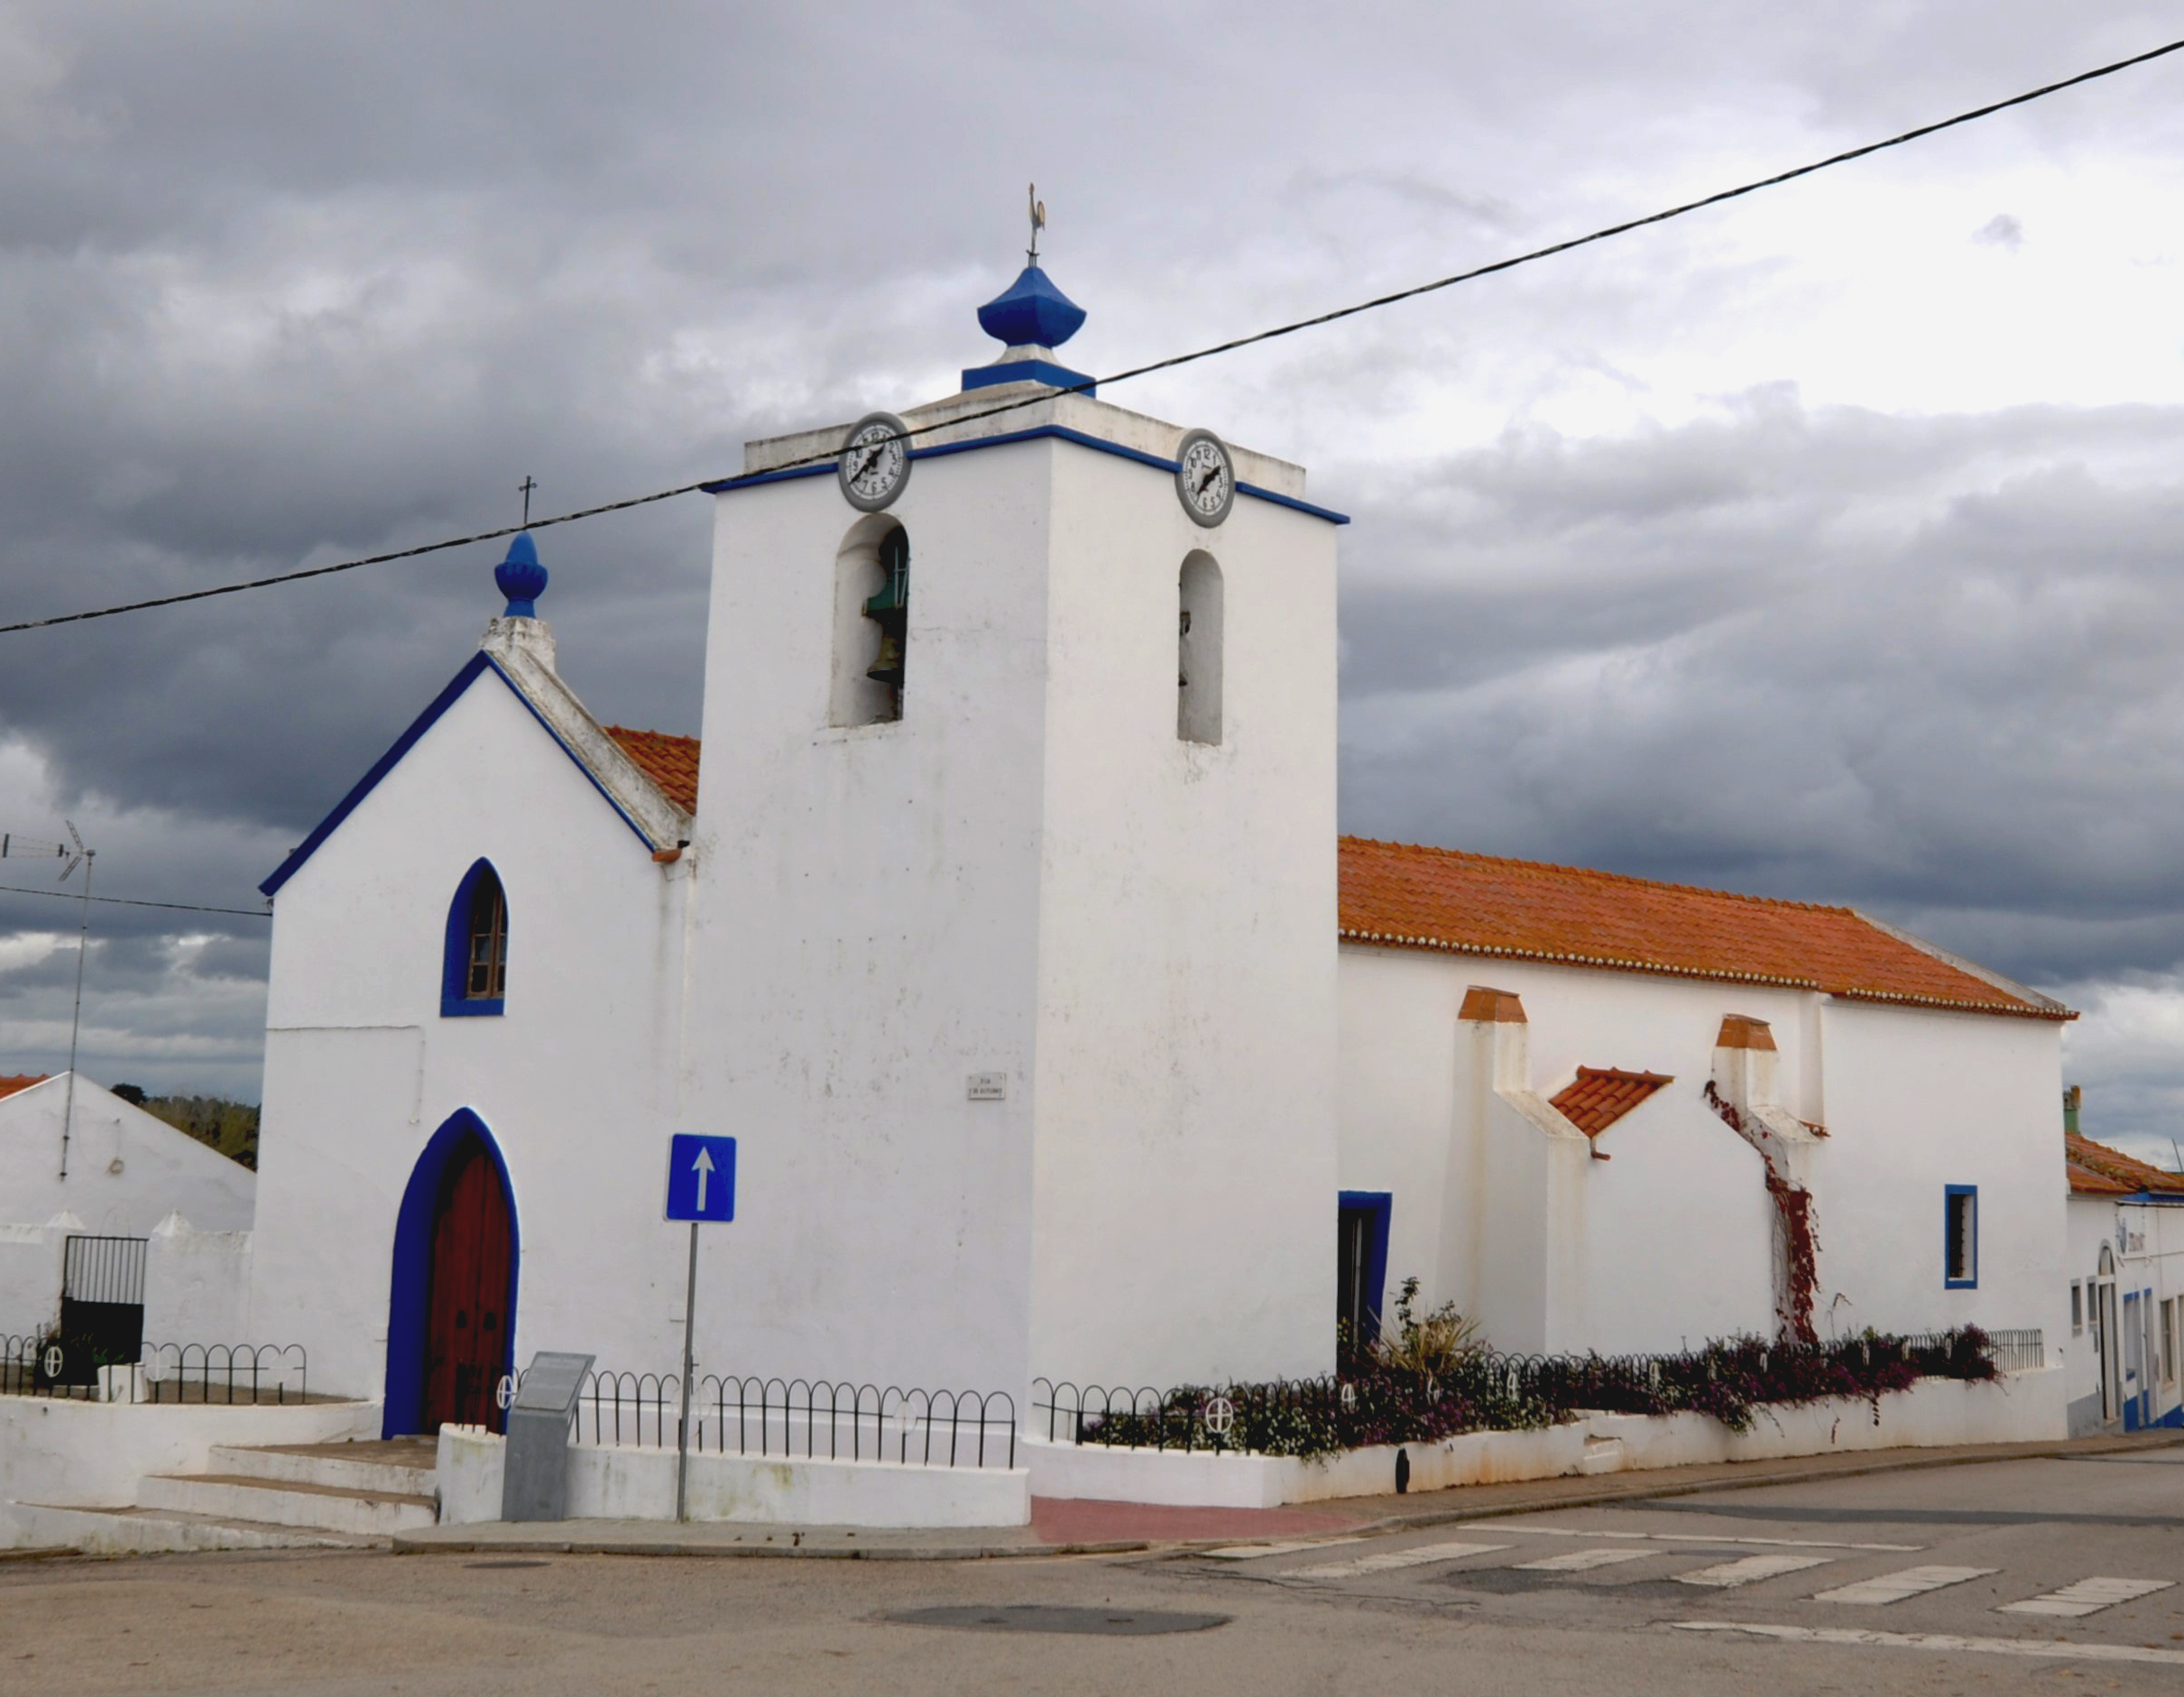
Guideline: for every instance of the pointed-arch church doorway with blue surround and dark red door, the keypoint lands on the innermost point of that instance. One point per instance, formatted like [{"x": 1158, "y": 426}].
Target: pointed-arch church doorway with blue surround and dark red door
[{"x": 451, "y": 1318}]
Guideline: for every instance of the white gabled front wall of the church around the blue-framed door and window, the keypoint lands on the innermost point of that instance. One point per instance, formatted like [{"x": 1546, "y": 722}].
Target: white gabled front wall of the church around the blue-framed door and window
[{"x": 573, "y": 1080}]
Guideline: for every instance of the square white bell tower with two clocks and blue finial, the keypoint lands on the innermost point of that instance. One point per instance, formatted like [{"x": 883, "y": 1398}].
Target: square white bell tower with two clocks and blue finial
[{"x": 1012, "y": 953}]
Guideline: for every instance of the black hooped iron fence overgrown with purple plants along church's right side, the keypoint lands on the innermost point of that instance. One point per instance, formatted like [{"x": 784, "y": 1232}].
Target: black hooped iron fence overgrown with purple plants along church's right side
[{"x": 1484, "y": 1390}]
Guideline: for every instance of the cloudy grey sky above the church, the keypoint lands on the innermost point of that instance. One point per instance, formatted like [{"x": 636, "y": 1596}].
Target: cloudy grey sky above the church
[{"x": 1823, "y": 545}]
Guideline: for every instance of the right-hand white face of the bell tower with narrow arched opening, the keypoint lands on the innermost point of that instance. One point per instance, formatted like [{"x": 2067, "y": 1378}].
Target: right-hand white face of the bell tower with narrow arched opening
[{"x": 1187, "y": 1191}]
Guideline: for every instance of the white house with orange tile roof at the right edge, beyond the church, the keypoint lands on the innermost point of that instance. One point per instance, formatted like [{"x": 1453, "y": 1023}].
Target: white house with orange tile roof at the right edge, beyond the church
[{"x": 2126, "y": 1287}]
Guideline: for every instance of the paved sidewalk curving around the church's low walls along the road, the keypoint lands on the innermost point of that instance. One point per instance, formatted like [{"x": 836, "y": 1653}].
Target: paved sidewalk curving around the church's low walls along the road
[{"x": 1087, "y": 1528}]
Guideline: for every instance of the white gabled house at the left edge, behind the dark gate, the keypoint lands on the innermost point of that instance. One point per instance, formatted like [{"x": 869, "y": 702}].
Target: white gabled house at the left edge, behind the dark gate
[{"x": 128, "y": 1178}]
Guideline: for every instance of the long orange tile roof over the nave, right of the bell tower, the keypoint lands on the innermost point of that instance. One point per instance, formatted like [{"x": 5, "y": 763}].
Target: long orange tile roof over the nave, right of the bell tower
[{"x": 1403, "y": 897}]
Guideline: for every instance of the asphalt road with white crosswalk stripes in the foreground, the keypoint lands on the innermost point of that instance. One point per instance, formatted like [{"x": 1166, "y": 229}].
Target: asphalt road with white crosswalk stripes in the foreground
[{"x": 1899, "y": 1582}]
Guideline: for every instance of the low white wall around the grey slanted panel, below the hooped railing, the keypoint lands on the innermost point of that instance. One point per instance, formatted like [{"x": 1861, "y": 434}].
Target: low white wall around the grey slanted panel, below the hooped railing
[{"x": 639, "y": 1484}]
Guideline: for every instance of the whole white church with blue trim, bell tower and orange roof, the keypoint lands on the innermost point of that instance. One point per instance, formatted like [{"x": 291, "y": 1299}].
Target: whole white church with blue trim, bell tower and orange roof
[{"x": 1008, "y": 929}]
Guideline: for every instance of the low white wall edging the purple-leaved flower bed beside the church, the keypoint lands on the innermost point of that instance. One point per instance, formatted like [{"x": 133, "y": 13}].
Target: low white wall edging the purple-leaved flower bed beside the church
[{"x": 1936, "y": 1412}]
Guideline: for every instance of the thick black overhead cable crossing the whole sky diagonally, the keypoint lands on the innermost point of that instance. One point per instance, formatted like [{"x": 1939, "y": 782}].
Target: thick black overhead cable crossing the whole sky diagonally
[{"x": 1170, "y": 364}]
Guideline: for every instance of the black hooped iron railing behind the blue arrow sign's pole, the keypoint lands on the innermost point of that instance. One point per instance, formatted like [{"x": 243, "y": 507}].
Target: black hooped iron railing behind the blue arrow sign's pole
[{"x": 800, "y": 1419}]
